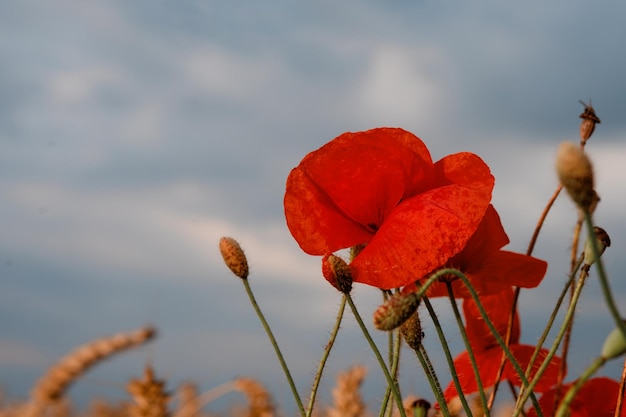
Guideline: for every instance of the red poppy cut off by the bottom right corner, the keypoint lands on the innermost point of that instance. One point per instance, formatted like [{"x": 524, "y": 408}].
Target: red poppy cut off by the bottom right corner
[{"x": 597, "y": 398}]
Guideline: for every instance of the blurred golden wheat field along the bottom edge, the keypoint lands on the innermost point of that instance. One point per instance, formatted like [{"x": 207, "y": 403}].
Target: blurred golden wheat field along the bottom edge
[{"x": 150, "y": 396}]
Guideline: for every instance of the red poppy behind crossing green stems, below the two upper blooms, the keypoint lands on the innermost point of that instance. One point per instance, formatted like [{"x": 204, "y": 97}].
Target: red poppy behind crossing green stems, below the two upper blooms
[{"x": 488, "y": 353}]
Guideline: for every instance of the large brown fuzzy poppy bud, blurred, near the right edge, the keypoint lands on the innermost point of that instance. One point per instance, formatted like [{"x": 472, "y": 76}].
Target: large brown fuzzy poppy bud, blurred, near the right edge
[{"x": 576, "y": 174}]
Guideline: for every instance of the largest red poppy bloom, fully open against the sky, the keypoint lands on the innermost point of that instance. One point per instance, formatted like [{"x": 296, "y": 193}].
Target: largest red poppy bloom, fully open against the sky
[{"x": 380, "y": 187}]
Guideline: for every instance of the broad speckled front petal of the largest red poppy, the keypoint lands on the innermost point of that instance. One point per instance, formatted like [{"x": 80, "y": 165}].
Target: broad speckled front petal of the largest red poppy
[{"x": 420, "y": 235}]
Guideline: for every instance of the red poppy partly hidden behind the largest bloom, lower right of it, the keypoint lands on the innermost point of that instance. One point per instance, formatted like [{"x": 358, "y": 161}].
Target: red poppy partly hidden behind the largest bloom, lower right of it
[{"x": 489, "y": 269}]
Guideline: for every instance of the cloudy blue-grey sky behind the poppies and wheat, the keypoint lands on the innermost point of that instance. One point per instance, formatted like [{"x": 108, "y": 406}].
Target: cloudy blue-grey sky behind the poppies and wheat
[{"x": 134, "y": 134}]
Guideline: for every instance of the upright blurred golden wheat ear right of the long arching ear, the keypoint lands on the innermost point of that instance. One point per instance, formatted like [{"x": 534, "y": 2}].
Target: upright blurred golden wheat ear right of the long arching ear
[{"x": 149, "y": 396}]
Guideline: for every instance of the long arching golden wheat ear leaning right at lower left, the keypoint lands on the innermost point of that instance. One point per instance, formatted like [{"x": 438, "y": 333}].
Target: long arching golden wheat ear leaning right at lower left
[{"x": 53, "y": 384}]
